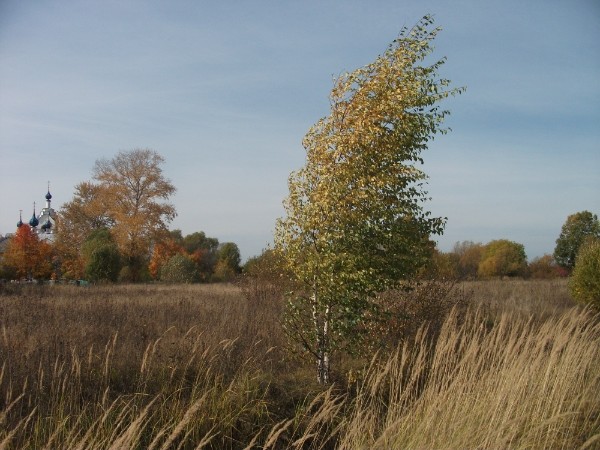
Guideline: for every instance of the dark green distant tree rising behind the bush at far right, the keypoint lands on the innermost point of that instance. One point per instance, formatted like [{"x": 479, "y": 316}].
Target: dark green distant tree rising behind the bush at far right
[{"x": 577, "y": 228}]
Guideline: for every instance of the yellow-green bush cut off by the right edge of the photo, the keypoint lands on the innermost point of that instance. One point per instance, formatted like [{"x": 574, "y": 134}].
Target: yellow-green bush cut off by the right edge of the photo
[{"x": 585, "y": 281}]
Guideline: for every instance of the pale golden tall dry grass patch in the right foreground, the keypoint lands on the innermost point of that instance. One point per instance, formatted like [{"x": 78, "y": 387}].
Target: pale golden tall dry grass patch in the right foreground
[{"x": 516, "y": 384}]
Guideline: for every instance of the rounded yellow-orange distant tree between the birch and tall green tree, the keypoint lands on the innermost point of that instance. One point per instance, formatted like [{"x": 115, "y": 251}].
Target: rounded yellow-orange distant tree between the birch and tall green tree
[{"x": 503, "y": 258}]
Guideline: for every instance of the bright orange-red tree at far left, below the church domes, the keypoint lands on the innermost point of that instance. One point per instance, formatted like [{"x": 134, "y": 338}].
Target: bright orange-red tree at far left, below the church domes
[{"x": 27, "y": 255}]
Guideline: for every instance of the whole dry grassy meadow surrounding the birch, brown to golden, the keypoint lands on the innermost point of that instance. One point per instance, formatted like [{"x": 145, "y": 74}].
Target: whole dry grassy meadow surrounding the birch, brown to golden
[{"x": 517, "y": 365}]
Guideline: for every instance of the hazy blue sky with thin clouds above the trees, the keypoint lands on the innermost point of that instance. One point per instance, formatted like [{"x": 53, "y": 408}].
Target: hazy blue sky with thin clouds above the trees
[{"x": 225, "y": 91}]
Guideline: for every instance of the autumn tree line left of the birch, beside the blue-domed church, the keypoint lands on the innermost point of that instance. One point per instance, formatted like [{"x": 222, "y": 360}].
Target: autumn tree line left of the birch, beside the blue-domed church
[{"x": 115, "y": 228}]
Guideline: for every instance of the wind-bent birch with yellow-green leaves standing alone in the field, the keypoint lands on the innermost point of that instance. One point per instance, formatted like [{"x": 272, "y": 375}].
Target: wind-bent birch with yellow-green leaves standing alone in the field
[{"x": 355, "y": 223}]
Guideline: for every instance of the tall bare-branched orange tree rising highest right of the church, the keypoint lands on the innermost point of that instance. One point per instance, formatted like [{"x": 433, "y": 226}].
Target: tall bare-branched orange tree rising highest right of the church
[{"x": 128, "y": 195}]
